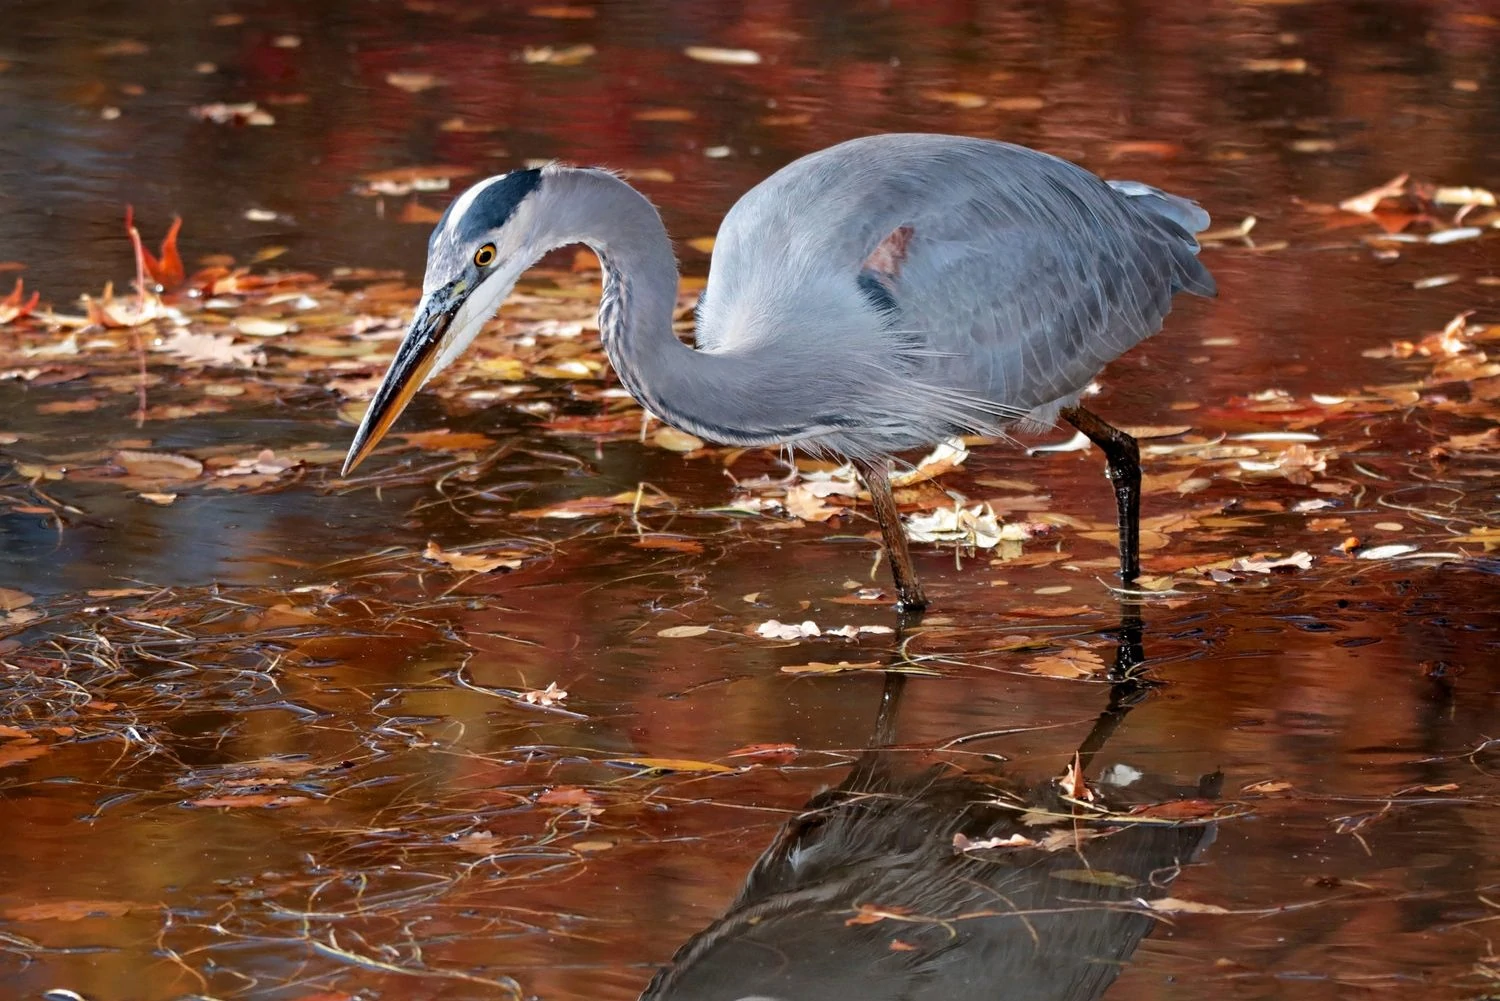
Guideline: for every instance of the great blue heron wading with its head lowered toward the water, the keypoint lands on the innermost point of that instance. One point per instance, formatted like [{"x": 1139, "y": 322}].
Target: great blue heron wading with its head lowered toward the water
[{"x": 877, "y": 296}]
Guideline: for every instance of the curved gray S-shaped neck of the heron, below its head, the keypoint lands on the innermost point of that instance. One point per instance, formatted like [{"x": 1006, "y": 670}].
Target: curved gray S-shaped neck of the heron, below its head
[{"x": 731, "y": 397}]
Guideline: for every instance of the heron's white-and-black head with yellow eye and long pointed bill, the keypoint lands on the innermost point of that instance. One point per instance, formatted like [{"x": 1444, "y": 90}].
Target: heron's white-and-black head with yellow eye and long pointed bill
[{"x": 478, "y": 251}]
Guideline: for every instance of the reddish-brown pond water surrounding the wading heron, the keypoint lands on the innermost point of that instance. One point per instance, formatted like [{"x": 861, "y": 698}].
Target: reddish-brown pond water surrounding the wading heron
[{"x": 299, "y": 769}]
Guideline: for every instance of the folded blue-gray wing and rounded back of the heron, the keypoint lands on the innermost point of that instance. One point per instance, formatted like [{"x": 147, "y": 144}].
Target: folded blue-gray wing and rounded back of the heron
[{"x": 1016, "y": 278}]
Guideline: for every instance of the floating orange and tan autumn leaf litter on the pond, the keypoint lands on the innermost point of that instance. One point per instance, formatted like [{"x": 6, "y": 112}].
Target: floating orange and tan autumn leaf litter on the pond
[{"x": 1232, "y": 502}]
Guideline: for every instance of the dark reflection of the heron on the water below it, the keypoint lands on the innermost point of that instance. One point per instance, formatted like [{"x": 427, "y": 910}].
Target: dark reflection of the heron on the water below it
[{"x": 865, "y": 895}]
